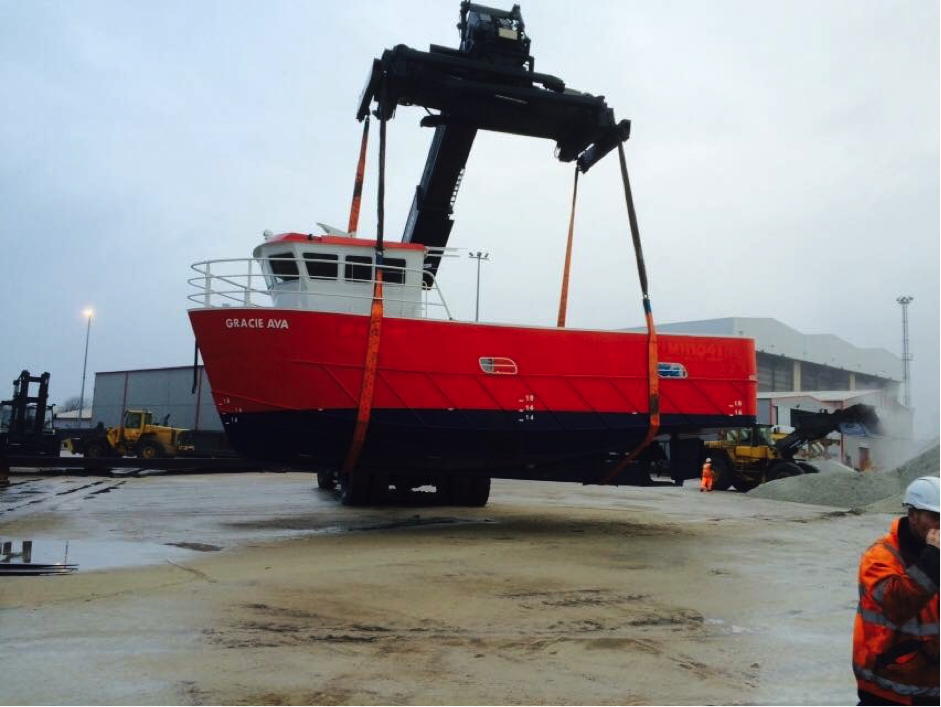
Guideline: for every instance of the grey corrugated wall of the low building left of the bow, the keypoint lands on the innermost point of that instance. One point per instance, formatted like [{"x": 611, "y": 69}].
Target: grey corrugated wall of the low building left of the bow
[{"x": 162, "y": 391}]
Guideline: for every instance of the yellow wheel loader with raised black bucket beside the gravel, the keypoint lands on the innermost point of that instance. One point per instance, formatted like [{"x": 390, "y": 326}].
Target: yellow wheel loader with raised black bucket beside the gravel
[{"x": 745, "y": 458}]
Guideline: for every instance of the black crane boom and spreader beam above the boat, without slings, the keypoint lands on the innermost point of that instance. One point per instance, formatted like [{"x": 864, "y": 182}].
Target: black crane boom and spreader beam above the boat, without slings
[{"x": 487, "y": 83}]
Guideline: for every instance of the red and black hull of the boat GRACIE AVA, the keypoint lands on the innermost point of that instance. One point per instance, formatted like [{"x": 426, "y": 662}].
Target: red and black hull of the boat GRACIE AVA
[{"x": 287, "y": 384}]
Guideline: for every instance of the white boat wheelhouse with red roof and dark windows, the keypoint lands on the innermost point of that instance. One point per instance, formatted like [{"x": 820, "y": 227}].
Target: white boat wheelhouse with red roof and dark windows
[{"x": 332, "y": 273}]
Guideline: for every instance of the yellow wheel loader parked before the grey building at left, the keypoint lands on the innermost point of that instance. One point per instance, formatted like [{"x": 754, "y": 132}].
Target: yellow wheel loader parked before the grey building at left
[{"x": 137, "y": 436}]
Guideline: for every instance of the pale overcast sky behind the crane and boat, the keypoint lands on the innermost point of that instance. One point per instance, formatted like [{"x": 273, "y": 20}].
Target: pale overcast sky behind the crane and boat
[{"x": 784, "y": 159}]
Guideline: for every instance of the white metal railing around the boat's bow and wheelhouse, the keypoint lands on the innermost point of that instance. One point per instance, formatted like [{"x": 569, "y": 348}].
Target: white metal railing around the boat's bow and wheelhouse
[{"x": 246, "y": 282}]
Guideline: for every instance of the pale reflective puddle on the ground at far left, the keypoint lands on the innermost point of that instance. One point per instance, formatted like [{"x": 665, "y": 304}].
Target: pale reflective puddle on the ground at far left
[{"x": 109, "y": 554}]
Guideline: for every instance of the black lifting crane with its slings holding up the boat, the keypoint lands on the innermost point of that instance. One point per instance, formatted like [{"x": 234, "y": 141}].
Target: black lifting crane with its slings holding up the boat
[{"x": 488, "y": 83}]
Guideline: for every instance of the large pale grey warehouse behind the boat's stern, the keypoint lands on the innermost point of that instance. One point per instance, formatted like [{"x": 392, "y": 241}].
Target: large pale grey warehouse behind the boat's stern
[{"x": 817, "y": 372}]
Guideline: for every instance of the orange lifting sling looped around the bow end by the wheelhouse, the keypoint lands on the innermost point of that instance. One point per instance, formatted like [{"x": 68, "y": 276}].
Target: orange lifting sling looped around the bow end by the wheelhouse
[{"x": 375, "y": 314}]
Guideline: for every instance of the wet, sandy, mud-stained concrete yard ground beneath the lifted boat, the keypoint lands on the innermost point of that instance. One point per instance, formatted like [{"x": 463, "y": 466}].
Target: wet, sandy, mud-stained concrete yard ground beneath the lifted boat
[{"x": 262, "y": 589}]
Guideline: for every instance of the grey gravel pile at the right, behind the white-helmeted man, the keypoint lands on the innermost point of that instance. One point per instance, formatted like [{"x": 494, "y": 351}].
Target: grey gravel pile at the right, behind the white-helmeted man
[{"x": 878, "y": 492}]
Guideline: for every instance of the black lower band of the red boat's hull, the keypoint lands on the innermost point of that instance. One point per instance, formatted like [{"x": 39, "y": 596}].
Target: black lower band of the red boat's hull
[{"x": 551, "y": 446}]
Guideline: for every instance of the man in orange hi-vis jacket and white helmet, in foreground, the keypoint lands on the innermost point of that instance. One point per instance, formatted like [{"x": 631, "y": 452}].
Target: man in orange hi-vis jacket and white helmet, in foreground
[{"x": 897, "y": 636}]
